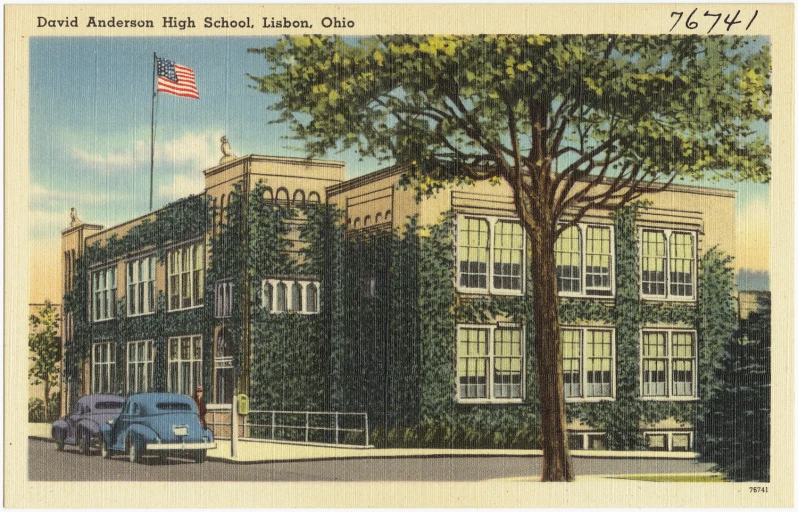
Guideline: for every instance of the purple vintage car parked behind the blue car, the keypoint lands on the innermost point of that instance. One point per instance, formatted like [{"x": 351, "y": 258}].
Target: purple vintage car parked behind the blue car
[{"x": 82, "y": 426}]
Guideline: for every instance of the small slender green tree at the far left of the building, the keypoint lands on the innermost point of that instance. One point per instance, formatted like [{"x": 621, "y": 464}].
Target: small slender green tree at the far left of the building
[{"x": 45, "y": 346}]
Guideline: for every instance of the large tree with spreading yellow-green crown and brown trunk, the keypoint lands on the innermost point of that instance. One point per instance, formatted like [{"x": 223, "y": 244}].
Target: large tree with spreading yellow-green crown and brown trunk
[{"x": 572, "y": 123}]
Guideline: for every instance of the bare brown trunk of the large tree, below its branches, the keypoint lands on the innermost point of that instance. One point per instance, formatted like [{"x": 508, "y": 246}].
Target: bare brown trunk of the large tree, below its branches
[{"x": 556, "y": 456}]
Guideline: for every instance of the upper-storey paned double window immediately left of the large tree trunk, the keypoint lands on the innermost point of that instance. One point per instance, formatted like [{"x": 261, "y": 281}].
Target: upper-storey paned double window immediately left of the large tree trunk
[{"x": 490, "y": 255}]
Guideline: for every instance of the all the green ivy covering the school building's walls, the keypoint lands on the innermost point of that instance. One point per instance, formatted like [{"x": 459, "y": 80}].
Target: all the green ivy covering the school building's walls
[{"x": 384, "y": 340}]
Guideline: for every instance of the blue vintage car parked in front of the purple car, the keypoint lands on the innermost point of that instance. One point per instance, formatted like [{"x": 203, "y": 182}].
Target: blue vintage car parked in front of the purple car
[{"x": 159, "y": 423}]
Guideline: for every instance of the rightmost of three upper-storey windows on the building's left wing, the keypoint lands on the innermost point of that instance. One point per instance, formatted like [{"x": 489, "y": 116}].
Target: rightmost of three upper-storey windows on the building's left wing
[{"x": 186, "y": 277}]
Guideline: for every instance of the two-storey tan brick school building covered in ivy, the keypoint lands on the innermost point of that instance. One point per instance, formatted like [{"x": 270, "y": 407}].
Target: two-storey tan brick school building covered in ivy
[{"x": 304, "y": 290}]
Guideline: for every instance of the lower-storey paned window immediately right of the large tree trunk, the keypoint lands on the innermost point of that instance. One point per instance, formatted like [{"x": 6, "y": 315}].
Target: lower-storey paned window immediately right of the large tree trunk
[{"x": 588, "y": 363}]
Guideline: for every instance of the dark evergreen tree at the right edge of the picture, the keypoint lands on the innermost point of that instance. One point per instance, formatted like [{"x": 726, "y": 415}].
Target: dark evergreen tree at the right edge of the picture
[{"x": 734, "y": 429}]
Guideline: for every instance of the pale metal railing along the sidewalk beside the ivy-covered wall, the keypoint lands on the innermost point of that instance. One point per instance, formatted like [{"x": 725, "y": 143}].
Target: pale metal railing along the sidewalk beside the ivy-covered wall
[{"x": 333, "y": 428}]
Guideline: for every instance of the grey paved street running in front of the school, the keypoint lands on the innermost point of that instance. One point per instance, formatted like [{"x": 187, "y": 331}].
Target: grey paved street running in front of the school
[{"x": 47, "y": 464}]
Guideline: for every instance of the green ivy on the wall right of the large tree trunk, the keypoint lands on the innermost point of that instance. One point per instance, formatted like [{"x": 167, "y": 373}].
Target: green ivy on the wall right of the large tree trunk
[{"x": 713, "y": 319}]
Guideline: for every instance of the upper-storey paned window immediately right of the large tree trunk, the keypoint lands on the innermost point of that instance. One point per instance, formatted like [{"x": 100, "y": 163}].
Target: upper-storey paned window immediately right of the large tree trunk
[{"x": 585, "y": 260}]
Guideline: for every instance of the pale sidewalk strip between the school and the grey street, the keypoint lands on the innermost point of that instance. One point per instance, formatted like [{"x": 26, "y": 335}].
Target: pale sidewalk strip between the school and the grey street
[{"x": 260, "y": 451}]
